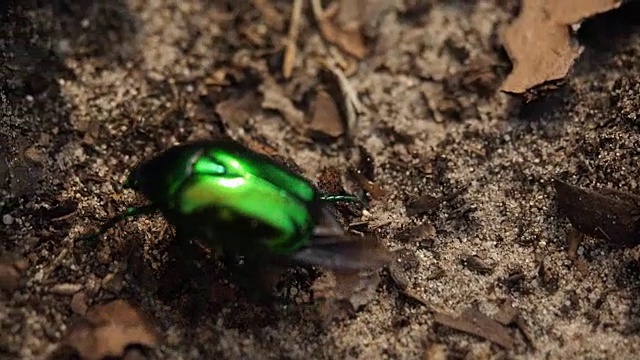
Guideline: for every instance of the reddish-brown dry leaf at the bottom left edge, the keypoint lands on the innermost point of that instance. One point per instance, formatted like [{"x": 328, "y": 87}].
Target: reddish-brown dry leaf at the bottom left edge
[{"x": 107, "y": 330}]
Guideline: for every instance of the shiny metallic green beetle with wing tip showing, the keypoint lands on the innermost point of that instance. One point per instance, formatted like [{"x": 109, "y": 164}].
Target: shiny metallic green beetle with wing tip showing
[{"x": 246, "y": 206}]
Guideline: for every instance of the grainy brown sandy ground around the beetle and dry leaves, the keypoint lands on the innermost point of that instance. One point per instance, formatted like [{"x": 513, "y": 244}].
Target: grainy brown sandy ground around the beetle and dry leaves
[{"x": 89, "y": 88}]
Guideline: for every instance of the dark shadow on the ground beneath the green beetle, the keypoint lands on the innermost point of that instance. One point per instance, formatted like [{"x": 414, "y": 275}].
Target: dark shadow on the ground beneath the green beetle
[{"x": 200, "y": 287}]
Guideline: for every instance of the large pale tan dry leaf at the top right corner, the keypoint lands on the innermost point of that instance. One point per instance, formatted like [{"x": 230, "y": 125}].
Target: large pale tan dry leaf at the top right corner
[{"x": 539, "y": 41}]
